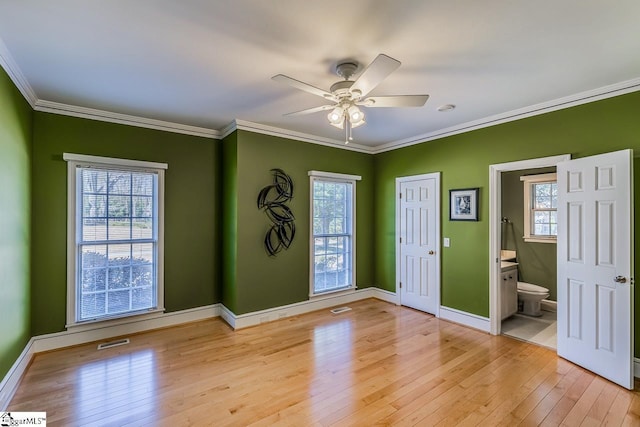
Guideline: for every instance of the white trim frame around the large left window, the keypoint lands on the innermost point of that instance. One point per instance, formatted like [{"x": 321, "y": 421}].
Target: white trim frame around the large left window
[{"x": 73, "y": 161}]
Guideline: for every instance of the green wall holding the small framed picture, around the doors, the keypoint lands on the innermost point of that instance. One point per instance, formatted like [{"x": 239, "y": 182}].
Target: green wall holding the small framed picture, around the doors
[{"x": 464, "y": 160}]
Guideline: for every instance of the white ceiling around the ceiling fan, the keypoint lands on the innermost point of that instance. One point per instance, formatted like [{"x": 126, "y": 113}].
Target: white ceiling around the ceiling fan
[{"x": 204, "y": 64}]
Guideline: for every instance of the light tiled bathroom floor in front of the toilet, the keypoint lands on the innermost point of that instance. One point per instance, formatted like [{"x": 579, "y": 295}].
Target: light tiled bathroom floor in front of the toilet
[{"x": 539, "y": 330}]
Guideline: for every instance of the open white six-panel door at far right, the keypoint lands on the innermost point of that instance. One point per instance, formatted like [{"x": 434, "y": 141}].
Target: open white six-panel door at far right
[{"x": 595, "y": 292}]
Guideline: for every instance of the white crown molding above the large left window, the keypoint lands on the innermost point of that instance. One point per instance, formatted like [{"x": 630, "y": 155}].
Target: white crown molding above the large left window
[{"x": 111, "y": 117}]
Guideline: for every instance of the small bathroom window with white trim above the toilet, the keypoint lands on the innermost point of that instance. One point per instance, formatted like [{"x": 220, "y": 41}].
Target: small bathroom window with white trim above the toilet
[{"x": 540, "y": 208}]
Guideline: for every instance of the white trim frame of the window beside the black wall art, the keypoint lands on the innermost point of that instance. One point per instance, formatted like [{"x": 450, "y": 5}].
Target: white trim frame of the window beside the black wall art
[{"x": 339, "y": 177}]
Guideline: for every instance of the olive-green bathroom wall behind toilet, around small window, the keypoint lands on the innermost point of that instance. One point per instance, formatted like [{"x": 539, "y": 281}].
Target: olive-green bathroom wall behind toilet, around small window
[{"x": 537, "y": 261}]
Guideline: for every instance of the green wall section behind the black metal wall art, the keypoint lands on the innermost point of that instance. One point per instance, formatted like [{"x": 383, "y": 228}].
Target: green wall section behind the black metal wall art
[{"x": 262, "y": 281}]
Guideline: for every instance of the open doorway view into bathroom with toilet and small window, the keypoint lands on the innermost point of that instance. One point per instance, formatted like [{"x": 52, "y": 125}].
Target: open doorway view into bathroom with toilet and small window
[{"x": 528, "y": 255}]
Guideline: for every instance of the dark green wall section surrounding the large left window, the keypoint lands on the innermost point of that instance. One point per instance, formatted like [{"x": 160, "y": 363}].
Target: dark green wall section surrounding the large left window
[{"x": 192, "y": 264}]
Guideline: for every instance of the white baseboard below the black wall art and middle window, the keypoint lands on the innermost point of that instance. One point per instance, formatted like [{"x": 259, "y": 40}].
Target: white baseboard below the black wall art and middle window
[{"x": 239, "y": 321}]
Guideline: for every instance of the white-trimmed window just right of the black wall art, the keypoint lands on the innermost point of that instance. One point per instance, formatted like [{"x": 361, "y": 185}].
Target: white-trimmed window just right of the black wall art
[{"x": 332, "y": 232}]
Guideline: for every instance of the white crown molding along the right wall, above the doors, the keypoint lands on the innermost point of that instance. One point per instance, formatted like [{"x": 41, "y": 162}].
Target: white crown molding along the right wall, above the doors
[{"x": 530, "y": 111}]
